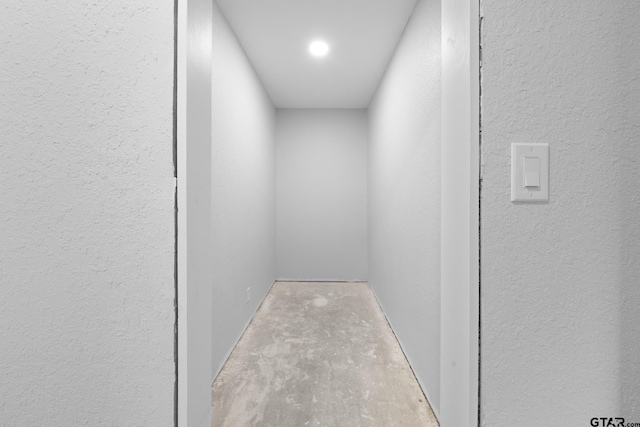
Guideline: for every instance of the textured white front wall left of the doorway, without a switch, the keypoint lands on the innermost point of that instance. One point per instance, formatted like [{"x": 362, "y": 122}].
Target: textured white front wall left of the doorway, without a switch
[{"x": 87, "y": 213}]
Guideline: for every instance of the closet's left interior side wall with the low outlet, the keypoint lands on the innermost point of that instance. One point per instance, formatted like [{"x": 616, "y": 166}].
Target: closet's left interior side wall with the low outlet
[{"x": 243, "y": 191}]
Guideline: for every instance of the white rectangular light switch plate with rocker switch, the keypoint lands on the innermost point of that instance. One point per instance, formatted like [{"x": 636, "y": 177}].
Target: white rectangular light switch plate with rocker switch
[{"x": 529, "y": 172}]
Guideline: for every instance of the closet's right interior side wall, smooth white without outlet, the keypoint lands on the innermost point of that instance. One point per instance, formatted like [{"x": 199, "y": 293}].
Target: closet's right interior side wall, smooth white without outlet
[{"x": 404, "y": 194}]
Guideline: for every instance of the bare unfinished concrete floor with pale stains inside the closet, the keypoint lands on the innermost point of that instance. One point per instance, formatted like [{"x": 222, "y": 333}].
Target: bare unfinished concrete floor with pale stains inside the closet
[{"x": 319, "y": 354}]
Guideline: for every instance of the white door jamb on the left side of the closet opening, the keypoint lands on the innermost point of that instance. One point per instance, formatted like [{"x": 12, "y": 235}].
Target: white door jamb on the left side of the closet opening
[{"x": 193, "y": 259}]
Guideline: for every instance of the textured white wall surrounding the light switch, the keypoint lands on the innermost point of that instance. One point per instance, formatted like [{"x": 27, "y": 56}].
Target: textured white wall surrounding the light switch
[{"x": 560, "y": 324}]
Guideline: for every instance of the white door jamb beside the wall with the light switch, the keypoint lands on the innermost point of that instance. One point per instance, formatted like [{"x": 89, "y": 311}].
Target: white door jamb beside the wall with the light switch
[{"x": 460, "y": 245}]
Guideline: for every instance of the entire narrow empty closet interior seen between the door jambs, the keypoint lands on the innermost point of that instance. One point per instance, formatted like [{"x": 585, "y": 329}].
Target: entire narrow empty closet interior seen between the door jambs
[{"x": 325, "y": 212}]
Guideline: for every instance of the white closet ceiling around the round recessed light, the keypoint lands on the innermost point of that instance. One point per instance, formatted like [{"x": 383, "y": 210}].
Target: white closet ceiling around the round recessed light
[{"x": 362, "y": 36}]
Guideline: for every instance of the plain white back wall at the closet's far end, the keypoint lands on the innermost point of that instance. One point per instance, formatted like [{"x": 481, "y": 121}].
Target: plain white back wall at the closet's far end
[{"x": 322, "y": 194}]
